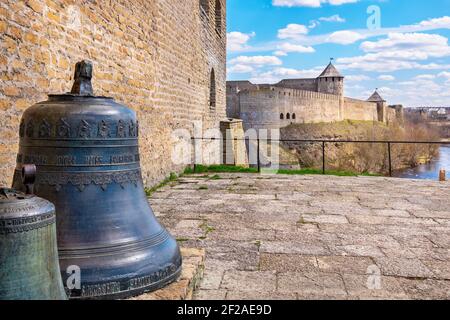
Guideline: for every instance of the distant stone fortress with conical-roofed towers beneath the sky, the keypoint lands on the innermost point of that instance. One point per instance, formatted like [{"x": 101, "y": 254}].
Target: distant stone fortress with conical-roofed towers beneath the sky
[{"x": 293, "y": 101}]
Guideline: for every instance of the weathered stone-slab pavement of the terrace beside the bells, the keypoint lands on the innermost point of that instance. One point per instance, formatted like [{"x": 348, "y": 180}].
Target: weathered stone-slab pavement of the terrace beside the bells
[{"x": 313, "y": 237}]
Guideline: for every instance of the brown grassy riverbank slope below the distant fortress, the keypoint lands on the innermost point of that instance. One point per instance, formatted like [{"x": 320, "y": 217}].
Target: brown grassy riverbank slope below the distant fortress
[{"x": 357, "y": 157}]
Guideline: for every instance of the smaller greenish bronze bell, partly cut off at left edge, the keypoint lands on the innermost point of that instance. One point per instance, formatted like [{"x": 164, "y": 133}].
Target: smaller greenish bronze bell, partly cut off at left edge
[{"x": 29, "y": 268}]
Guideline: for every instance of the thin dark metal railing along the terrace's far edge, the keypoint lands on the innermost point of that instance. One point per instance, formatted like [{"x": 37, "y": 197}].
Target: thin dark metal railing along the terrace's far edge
[{"x": 388, "y": 143}]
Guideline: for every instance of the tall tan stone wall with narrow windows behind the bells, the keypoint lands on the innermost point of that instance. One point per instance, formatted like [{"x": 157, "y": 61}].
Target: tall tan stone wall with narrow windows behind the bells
[{"x": 154, "y": 56}]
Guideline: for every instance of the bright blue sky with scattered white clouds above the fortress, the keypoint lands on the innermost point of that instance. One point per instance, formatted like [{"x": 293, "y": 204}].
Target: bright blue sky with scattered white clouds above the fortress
[{"x": 399, "y": 46}]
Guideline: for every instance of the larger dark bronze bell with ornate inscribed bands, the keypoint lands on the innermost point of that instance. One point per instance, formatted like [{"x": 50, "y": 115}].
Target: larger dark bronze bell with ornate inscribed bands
[{"x": 86, "y": 152}]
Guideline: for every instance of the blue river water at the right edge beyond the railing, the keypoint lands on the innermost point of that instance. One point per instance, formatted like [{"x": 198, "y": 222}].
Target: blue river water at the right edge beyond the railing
[{"x": 430, "y": 170}]
